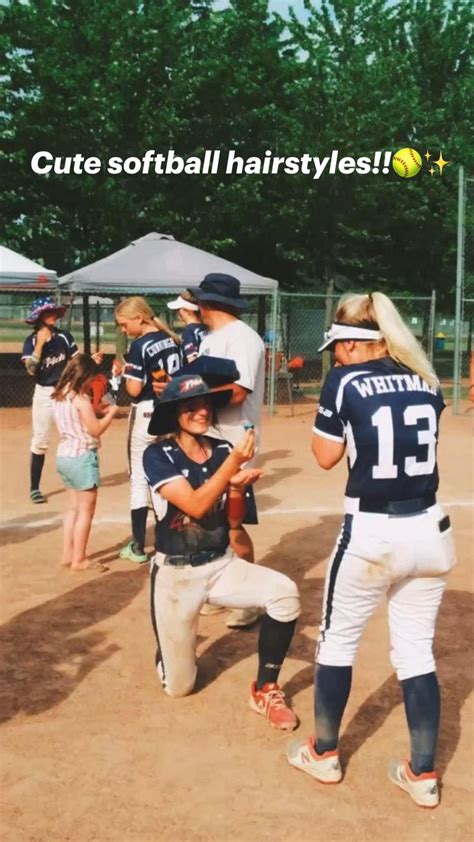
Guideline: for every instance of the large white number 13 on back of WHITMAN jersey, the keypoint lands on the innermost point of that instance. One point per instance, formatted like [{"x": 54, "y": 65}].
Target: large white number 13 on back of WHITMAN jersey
[{"x": 383, "y": 421}]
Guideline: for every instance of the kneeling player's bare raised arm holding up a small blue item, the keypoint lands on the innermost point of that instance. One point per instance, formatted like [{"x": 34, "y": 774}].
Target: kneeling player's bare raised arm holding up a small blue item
[{"x": 196, "y": 502}]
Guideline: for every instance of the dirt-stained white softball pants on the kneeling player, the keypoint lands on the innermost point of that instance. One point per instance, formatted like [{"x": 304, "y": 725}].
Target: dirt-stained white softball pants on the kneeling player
[{"x": 178, "y": 594}]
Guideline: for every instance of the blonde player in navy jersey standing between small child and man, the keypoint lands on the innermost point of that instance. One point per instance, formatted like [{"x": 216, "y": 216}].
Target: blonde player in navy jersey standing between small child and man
[{"x": 153, "y": 358}]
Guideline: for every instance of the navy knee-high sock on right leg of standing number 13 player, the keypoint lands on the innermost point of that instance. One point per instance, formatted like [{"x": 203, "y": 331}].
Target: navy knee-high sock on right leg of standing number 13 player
[{"x": 422, "y": 708}]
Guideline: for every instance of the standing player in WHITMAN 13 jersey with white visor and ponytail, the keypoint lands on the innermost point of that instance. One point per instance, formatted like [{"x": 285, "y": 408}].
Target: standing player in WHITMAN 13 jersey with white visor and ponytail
[{"x": 381, "y": 405}]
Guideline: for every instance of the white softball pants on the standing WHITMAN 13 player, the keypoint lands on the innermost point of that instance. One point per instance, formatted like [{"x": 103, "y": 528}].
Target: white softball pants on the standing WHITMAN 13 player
[{"x": 405, "y": 558}]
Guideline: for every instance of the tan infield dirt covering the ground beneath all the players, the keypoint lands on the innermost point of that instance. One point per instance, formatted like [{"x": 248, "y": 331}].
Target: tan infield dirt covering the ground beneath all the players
[{"x": 93, "y": 751}]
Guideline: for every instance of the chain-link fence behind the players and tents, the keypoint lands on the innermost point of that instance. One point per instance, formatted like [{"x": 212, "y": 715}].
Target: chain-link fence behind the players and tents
[{"x": 292, "y": 332}]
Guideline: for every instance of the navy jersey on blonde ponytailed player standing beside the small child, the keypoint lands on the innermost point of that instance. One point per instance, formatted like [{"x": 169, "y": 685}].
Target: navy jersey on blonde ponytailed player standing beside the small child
[{"x": 151, "y": 352}]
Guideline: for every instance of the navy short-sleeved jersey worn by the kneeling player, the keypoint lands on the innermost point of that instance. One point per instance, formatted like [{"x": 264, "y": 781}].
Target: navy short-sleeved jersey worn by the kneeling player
[{"x": 179, "y": 534}]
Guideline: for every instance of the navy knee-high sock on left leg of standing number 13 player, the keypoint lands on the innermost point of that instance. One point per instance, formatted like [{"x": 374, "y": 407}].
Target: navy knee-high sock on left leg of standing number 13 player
[{"x": 332, "y": 688}]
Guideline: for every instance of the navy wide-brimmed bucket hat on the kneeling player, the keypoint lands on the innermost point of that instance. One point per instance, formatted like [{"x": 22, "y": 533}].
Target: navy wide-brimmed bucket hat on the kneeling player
[{"x": 182, "y": 389}]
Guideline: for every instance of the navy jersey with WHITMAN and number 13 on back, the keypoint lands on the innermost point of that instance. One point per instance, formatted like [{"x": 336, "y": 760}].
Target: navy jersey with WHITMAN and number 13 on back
[{"x": 388, "y": 417}]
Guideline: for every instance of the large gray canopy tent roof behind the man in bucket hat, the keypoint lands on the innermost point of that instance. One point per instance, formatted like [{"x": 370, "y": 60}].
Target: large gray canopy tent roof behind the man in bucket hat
[{"x": 157, "y": 263}]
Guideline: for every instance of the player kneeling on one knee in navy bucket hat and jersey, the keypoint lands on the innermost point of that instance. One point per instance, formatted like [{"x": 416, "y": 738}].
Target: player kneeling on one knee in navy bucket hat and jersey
[{"x": 198, "y": 488}]
